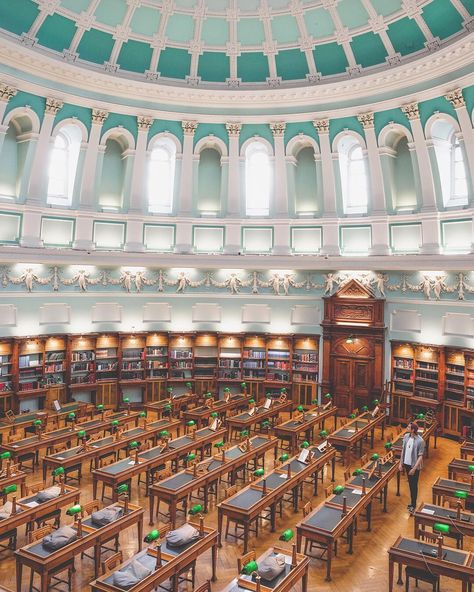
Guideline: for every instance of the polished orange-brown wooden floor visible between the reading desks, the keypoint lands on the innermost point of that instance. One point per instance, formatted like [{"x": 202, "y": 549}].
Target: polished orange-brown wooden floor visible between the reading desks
[{"x": 366, "y": 570}]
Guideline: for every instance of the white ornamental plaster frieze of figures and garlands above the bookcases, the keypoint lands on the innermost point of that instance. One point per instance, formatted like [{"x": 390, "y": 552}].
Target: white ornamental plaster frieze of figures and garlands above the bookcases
[{"x": 430, "y": 286}]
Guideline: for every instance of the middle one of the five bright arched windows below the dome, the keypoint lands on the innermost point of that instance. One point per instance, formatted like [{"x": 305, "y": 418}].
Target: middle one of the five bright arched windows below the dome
[{"x": 258, "y": 179}]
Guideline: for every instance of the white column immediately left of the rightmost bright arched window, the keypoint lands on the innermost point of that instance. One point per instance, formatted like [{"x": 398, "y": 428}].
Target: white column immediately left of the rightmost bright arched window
[{"x": 426, "y": 174}]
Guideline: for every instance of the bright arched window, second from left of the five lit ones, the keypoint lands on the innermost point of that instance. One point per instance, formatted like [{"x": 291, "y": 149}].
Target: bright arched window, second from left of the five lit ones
[{"x": 161, "y": 171}]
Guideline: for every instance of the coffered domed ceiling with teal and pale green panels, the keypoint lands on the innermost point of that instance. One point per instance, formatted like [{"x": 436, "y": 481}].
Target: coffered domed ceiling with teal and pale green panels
[{"x": 237, "y": 43}]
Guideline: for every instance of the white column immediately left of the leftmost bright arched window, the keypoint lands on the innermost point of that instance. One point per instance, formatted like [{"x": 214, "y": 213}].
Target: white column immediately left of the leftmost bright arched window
[{"x": 39, "y": 170}]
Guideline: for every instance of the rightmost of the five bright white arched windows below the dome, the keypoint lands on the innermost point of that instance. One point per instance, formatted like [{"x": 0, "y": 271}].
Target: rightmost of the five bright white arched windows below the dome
[{"x": 451, "y": 164}]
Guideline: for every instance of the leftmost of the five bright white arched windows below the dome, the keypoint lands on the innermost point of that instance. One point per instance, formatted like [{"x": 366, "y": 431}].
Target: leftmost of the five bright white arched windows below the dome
[{"x": 63, "y": 165}]
